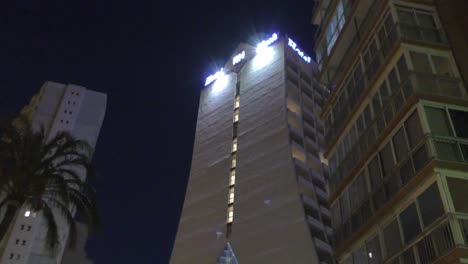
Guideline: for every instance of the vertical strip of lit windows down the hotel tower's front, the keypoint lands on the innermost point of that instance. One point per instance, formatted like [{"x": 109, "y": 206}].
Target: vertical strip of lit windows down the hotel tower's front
[{"x": 232, "y": 174}]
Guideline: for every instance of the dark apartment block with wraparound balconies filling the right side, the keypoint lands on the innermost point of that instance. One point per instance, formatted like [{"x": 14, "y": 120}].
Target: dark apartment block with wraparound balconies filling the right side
[{"x": 396, "y": 129}]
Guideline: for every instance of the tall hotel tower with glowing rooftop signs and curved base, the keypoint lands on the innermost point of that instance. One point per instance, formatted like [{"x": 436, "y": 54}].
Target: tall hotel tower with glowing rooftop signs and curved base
[{"x": 256, "y": 191}]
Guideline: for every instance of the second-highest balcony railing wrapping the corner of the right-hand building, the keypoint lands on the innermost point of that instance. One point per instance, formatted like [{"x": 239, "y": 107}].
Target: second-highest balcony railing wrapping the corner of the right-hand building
[{"x": 415, "y": 83}]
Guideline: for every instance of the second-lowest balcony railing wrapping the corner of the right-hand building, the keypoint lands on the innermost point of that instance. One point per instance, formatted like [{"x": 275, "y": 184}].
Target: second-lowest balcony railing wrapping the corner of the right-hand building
[{"x": 429, "y": 148}]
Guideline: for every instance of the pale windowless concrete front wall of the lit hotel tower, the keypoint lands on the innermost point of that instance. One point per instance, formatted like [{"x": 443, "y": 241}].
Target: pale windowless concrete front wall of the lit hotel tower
[{"x": 269, "y": 223}]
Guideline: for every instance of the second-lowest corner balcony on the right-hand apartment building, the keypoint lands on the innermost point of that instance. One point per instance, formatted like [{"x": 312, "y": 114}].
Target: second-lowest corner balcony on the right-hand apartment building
[{"x": 432, "y": 151}]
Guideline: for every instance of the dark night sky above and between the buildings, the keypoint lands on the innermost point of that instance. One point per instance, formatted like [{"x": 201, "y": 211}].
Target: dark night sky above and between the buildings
[{"x": 150, "y": 58}]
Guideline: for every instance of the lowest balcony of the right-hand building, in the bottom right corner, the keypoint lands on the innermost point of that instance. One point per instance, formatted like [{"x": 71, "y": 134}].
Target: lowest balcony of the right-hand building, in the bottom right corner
[{"x": 444, "y": 242}]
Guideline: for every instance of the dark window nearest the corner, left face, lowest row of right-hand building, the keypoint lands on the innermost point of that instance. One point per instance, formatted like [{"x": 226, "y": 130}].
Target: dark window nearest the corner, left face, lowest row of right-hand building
[{"x": 430, "y": 205}]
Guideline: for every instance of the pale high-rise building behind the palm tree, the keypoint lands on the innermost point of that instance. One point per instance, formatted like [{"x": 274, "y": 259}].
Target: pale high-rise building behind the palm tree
[{"x": 57, "y": 107}]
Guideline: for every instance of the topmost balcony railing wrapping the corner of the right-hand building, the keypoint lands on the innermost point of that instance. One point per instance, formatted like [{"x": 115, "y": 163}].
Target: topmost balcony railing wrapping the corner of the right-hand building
[{"x": 398, "y": 32}]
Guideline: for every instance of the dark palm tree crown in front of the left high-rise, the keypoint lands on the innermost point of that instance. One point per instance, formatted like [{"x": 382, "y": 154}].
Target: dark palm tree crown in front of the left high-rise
[{"x": 45, "y": 175}]
